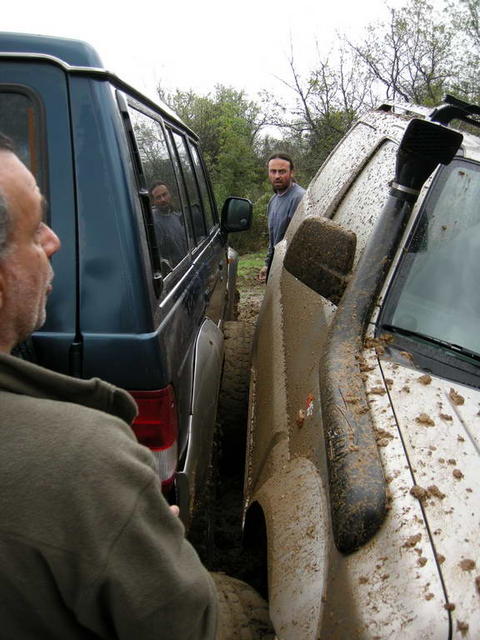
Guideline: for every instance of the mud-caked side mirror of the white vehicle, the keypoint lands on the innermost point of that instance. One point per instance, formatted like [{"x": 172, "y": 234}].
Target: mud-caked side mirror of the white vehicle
[{"x": 320, "y": 255}]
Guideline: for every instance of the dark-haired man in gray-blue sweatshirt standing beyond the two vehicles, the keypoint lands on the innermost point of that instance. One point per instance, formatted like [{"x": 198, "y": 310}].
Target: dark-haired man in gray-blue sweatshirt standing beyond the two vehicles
[{"x": 282, "y": 204}]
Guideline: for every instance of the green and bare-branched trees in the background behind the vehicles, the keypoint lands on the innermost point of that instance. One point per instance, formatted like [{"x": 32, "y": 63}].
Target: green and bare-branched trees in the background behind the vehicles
[{"x": 417, "y": 55}]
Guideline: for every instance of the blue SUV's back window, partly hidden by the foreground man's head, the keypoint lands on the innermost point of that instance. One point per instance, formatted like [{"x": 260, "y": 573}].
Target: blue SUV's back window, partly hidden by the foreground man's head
[{"x": 20, "y": 121}]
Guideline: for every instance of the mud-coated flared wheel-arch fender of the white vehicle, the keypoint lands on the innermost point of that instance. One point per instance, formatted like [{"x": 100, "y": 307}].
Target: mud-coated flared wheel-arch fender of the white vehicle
[{"x": 298, "y": 529}]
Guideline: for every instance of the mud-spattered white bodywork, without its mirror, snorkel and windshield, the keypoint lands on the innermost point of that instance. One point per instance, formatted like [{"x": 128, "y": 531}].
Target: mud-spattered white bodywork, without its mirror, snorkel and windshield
[{"x": 418, "y": 575}]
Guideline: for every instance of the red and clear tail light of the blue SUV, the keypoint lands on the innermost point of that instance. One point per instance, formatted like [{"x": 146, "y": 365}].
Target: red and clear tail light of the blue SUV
[{"x": 156, "y": 427}]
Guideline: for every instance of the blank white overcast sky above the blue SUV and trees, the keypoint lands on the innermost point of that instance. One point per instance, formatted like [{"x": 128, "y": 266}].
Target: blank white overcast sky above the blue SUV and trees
[{"x": 197, "y": 44}]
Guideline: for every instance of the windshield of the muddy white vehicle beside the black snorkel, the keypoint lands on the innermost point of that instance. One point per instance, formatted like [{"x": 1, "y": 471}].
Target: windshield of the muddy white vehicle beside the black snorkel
[{"x": 436, "y": 290}]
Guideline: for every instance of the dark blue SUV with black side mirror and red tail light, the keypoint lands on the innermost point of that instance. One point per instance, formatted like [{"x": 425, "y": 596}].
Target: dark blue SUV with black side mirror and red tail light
[{"x": 145, "y": 279}]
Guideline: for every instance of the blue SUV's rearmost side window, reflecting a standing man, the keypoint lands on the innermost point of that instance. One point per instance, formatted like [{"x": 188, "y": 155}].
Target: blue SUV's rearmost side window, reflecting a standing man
[{"x": 161, "y": 181}]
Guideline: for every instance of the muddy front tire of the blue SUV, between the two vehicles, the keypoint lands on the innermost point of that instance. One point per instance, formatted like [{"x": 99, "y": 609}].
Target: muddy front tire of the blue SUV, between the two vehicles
[{"x": 233, "y": 398}]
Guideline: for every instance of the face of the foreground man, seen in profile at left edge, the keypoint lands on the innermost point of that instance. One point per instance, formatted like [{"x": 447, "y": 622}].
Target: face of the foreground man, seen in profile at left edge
[{"x": 25, "y": 271}]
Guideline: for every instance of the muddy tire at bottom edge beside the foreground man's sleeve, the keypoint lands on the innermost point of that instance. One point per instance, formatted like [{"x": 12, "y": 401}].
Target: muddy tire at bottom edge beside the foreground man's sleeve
[{"x": 242, "y": 613}]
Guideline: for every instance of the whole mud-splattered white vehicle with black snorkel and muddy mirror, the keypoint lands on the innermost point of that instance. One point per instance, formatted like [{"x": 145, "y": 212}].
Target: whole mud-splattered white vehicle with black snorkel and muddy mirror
[{"x": 362, "y": 479}]
